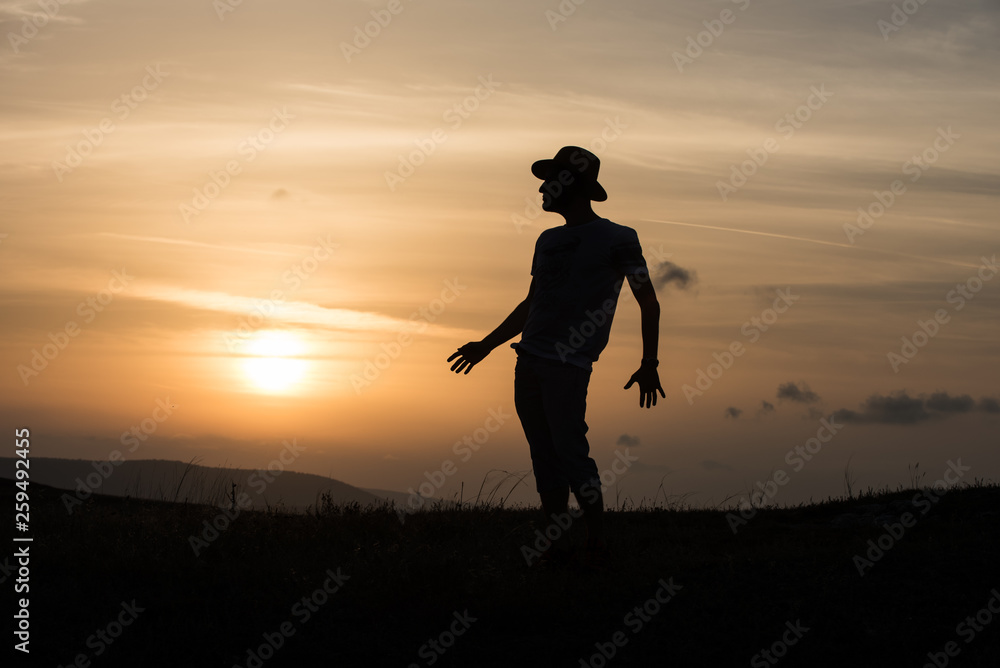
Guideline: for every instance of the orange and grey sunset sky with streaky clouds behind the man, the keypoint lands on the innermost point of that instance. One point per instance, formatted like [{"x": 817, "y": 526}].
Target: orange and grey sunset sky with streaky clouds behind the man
[{"x": 227, "y": 226}]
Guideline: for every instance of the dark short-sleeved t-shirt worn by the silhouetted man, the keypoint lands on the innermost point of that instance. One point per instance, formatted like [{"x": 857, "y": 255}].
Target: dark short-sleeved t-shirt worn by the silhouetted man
[{"x": 579, "y": 272}]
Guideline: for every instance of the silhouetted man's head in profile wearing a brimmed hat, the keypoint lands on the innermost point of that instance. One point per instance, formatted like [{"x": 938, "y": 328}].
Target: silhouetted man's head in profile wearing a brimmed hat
[{"x": 569, "y": 179}]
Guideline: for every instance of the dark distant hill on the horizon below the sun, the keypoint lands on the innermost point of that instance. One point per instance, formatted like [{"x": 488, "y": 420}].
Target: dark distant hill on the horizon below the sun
[{"x": 177, "y": 481}]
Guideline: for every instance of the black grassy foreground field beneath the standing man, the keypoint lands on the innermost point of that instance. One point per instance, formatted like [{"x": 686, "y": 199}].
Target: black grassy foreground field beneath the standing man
[{"x": 117, "y": 582}]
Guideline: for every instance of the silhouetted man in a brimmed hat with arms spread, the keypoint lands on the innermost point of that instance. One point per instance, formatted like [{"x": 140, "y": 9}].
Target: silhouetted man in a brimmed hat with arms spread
[{"x": 577, "y": 273}]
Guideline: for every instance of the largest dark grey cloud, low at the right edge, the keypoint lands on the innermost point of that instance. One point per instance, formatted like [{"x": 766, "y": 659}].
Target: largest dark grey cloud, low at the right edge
[{"x": 901, "y": 408}]
